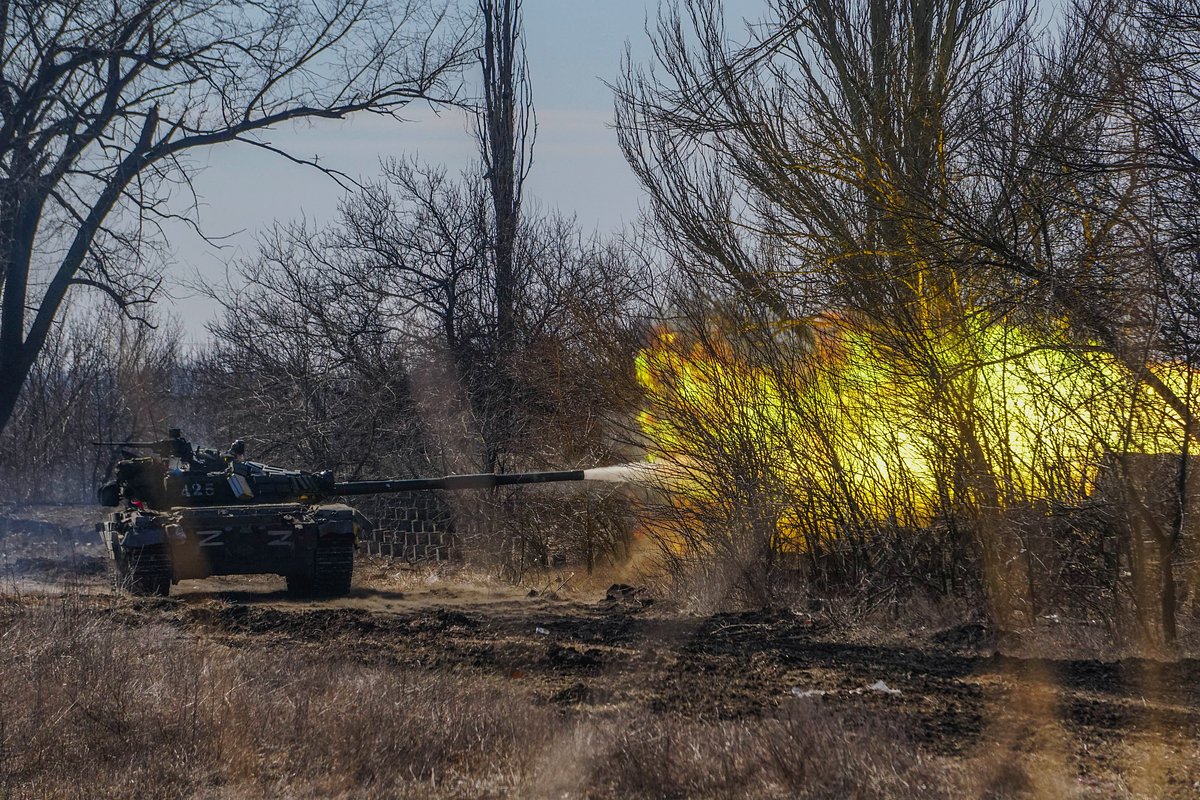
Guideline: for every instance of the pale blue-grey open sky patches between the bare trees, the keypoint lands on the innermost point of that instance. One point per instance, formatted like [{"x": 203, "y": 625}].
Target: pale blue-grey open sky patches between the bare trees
[{"x": 574, "y": 46}]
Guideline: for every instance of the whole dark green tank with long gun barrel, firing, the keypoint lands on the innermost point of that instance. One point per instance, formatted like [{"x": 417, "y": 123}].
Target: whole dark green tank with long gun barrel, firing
[{"x": 185, "y": 513}]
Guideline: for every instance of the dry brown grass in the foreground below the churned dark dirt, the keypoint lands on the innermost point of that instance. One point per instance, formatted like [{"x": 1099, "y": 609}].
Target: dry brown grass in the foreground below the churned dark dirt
[{"x": 94, "y": 706}]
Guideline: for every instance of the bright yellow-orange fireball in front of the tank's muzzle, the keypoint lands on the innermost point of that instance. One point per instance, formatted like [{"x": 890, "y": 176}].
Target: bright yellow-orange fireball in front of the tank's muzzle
[{"x": 847, "y": 428}]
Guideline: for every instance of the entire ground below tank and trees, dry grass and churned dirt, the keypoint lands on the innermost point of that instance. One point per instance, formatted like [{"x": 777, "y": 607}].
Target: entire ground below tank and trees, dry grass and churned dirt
[{"x": 446, "y": 684}]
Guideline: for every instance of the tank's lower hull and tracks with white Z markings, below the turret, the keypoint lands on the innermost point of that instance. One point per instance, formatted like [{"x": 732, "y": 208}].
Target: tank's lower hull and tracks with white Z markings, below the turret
[{"x": 313, "y": 546}]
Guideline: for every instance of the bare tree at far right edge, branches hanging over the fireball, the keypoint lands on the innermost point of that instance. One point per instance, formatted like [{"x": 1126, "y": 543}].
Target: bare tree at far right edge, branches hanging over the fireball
[{"x": 1087, "y": 207}]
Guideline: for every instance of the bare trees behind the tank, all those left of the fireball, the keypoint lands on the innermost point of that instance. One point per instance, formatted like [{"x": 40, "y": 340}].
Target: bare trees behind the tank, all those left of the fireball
[{"x": 436, "y": 326}]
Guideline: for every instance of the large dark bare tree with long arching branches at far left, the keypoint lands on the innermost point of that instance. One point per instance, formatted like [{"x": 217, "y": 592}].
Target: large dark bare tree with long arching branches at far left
[{"x": 101, "y": 105}]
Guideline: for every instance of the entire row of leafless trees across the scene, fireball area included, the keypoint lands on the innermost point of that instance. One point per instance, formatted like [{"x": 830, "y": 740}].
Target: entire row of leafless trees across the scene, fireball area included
[{"x": 961, "y": 193}]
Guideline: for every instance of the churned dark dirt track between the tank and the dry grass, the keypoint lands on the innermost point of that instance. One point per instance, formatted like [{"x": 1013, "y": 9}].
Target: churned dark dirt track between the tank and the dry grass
[{"x": 1100, "y": 729}]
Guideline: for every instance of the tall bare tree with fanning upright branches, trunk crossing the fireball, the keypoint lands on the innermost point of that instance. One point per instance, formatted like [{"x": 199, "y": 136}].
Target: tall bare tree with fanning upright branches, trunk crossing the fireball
[{"x": 808, "y": 170}]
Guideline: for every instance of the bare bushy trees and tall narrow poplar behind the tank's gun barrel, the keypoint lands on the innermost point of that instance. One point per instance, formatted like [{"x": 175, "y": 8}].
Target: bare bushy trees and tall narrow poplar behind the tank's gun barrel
[{"x": 440, "y": 324}]
